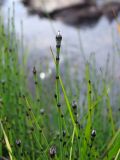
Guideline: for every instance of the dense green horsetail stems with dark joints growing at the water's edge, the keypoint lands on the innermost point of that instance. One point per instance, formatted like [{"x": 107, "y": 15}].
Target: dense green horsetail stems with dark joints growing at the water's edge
[{"x": 53, "y": 123}]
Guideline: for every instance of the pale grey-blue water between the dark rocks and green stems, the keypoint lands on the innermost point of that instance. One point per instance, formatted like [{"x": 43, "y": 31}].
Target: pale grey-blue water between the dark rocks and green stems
[{"x": 39, "y": 35}]
